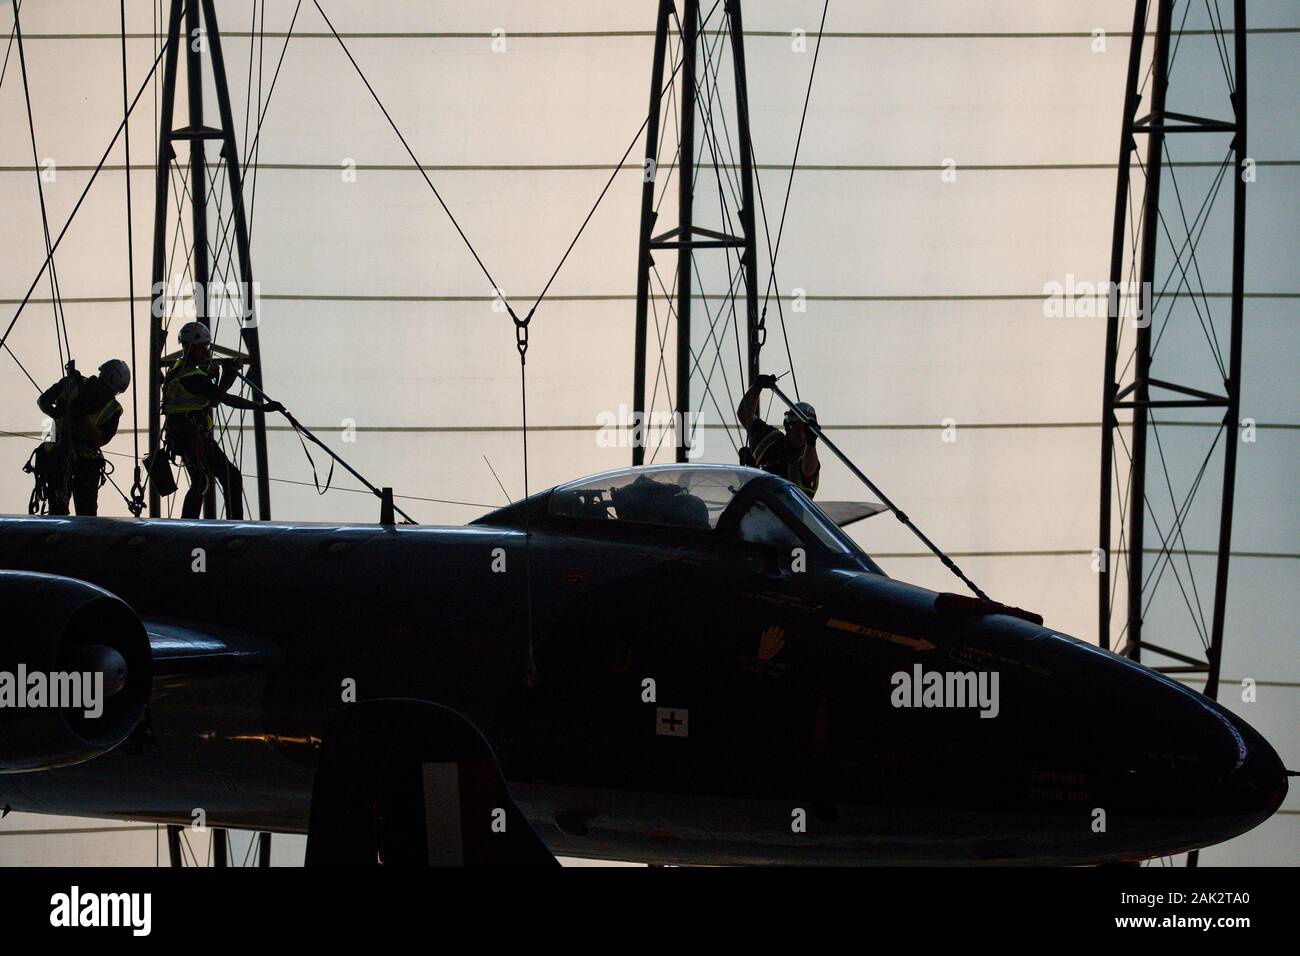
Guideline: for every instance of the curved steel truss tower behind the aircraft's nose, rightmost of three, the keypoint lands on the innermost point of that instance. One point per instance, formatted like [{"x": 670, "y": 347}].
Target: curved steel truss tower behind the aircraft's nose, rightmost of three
[{"x": 1155, "y": 244}]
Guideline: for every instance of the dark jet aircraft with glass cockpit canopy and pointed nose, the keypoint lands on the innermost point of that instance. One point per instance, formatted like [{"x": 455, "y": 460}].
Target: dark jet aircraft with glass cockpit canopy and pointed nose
[{"x": 675, "y": 664}]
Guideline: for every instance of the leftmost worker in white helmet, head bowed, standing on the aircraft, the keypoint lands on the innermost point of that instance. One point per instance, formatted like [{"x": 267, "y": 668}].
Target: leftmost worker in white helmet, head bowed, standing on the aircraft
[{"x": 86, "y": 414}]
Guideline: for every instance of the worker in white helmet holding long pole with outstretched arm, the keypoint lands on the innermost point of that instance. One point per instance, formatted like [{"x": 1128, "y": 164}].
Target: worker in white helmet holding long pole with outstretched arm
[{"x": 189, "y": 396}]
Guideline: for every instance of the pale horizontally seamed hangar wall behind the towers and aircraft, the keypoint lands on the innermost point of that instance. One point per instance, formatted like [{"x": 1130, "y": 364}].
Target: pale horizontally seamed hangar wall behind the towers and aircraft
[{"x": 924, "y": 299}]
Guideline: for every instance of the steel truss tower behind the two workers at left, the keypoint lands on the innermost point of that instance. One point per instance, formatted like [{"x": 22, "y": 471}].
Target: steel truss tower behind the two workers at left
[{"x": 202, "y": 36}]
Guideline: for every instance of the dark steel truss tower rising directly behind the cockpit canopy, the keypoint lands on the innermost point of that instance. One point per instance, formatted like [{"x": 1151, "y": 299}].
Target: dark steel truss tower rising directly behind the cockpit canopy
[{"x": 687, "y": 237}]
